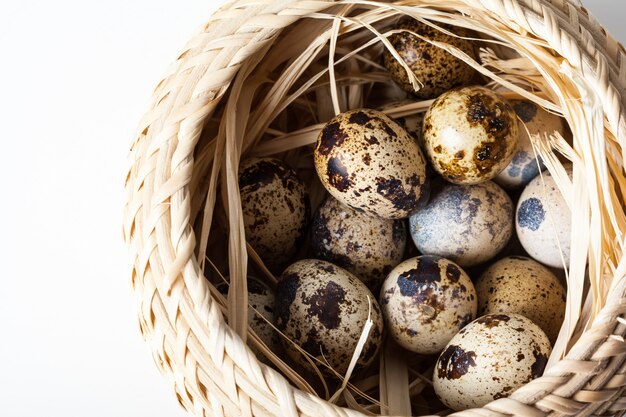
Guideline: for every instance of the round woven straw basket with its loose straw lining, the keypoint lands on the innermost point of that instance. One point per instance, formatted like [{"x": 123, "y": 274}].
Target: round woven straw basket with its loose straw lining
[{"x": 225, "y": 98}]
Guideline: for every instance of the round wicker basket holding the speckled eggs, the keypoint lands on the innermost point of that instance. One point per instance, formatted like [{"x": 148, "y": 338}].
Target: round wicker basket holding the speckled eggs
[{"x": 189, "y": 146}]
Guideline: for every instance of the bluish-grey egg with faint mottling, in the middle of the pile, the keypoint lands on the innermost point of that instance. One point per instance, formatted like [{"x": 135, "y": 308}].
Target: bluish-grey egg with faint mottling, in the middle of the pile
[{"x": 468, "y": 224}]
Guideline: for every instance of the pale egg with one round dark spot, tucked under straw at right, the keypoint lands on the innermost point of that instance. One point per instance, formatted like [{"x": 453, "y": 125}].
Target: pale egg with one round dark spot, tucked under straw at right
[{"x": 544, "y": 221}]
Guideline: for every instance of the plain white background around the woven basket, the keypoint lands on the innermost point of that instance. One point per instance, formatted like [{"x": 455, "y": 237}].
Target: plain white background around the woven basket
[{"x": 75, "y": 77}]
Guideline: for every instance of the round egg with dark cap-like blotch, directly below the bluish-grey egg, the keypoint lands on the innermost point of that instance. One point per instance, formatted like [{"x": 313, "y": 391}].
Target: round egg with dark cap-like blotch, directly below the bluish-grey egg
[{"x": 426, "y": 300}]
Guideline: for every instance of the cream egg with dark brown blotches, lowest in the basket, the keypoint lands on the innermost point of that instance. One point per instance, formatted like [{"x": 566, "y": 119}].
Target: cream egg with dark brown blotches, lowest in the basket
[{"x": 489, "y": 359}]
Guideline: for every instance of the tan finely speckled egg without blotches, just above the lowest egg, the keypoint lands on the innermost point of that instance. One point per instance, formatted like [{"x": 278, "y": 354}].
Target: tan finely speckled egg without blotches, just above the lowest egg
[{"x": 522, "y": 286}]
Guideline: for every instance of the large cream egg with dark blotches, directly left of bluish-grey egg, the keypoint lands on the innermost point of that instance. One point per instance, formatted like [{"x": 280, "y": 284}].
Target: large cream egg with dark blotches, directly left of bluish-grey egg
[{"x": 367, "y": 161}]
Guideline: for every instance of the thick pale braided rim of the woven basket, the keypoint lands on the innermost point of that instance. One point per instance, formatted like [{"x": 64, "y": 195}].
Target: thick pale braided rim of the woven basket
[{"x": 214, "y": 372}]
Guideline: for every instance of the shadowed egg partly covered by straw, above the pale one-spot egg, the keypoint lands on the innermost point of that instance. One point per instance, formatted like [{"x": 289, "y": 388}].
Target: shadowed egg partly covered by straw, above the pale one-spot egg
[{"x": 524, "y": 166}]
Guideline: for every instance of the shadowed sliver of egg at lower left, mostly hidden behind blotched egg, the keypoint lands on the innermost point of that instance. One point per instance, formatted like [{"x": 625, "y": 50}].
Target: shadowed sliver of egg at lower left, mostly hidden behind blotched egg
[{"x": 260, "y": 311}]
